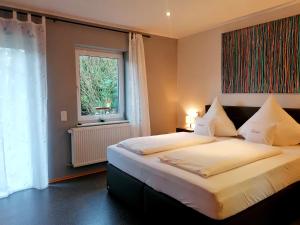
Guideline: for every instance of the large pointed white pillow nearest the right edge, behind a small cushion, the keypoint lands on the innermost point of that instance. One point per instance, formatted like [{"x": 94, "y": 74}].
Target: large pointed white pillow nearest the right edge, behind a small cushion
[{"x": 287, "y": 129}]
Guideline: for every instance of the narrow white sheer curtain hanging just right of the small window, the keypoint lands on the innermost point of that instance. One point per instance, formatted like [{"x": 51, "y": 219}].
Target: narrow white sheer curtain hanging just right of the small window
[{"x": 137, "y": 106}]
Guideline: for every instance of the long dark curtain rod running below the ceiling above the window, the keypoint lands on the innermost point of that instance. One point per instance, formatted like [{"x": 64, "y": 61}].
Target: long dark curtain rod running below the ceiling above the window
[{"x": 72, "y": 21}]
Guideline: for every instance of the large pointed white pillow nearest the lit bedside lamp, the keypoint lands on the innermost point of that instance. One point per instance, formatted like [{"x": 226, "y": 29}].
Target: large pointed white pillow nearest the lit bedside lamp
[{"x": 223, "y": 125}]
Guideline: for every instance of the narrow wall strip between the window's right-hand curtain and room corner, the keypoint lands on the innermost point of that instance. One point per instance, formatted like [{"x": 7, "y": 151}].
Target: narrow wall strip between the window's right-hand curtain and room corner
[{"x": 161, "y": 65}]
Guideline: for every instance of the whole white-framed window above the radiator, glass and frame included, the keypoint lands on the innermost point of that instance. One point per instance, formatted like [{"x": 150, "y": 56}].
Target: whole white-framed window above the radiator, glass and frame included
[{"x": 100, "y": 85}]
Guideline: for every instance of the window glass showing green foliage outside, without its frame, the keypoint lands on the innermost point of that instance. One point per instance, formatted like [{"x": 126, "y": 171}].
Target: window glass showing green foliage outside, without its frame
[{"x": 99, "y": 80}]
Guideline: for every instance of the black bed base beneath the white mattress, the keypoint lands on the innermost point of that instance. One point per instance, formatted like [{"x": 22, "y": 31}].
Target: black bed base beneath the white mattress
[{"x": 158, "y": 208}]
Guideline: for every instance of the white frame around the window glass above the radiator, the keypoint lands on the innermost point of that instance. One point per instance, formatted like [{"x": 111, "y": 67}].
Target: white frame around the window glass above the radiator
[{"x": 106, "y": 54}]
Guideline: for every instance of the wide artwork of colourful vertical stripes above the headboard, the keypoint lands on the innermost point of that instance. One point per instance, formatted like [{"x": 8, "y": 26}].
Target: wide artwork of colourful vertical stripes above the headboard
[{"x": 262, "y": 59}]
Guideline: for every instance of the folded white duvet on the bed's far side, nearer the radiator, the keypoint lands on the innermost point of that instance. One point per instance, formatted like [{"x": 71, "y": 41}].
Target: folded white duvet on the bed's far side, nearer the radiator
[{"x": 158, "y": 143}]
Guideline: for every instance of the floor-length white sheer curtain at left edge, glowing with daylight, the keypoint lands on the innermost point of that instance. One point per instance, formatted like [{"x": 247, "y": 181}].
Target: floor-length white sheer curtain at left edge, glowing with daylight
[{"x": 23, "y": 106}]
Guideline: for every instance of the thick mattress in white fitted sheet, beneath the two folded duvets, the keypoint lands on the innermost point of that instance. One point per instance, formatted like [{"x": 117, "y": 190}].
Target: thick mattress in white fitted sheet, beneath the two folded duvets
[{"x": 219, "y": 196}]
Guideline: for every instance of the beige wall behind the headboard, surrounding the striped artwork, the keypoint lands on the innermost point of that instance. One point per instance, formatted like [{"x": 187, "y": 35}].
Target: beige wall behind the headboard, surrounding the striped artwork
[{"x": 199, "y": 68}]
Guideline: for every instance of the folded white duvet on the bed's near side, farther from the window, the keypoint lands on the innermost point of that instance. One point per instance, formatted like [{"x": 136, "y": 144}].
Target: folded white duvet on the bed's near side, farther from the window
[{"x": 218, "y": 157}]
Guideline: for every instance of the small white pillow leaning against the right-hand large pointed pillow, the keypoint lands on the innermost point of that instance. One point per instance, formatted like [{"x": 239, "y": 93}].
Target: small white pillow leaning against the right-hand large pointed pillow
[{"x": 260, "y": 134}]
